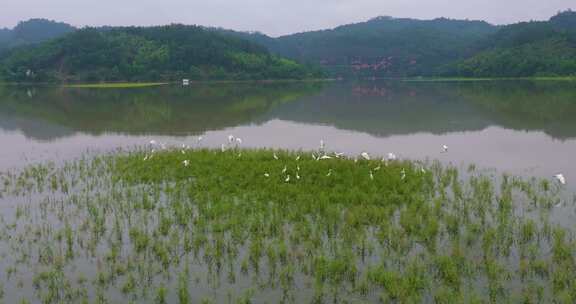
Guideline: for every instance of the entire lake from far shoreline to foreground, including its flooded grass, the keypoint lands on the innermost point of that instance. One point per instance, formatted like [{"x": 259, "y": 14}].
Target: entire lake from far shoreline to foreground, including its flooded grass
[{"x": 240, "y": 230}]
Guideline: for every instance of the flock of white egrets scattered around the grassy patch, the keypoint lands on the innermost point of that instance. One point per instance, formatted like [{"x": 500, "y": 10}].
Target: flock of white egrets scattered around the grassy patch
[{"x": 235, "y": 142}]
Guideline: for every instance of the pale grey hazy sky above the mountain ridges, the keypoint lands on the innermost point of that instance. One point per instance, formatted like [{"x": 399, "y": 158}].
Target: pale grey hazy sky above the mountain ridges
[{"x": 273, "y": 17}]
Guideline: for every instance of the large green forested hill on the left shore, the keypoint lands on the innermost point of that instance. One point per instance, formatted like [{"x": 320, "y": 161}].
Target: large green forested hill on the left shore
[{"x": 147, "y": 54}]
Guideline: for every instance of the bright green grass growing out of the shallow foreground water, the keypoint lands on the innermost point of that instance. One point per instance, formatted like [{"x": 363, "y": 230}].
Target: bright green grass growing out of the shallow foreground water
[{"x": 244, "y": 226}]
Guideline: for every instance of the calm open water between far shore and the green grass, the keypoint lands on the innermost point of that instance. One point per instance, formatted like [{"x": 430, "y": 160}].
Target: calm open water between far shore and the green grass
[{"x": 526, "y": 128}]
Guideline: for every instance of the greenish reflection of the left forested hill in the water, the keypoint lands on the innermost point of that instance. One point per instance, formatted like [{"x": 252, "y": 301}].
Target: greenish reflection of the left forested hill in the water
[{"x": 166, "y": 111}]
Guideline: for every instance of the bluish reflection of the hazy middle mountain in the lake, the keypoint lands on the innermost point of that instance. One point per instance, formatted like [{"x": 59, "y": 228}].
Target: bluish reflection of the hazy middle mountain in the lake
[{"x": 386, "y": 109}]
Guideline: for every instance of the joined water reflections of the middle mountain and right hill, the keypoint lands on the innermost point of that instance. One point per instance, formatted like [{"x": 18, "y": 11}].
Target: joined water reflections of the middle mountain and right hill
[{"x": 396, "y": 108}]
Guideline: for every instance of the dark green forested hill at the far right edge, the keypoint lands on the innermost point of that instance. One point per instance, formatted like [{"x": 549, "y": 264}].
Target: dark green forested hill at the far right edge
[{"x": 525, "y": 49}]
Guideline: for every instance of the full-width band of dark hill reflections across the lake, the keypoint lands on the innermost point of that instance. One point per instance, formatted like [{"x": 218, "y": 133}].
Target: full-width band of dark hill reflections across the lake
[{"x": 378, "y": 108}]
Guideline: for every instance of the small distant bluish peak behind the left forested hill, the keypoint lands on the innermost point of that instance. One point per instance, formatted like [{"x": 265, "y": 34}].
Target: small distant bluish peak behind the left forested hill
[{"x": 33, "y": 31}]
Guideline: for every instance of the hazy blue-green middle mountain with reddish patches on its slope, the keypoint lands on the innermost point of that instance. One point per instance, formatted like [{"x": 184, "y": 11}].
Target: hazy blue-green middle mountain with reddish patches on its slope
[{"x": 383, "y": 46}]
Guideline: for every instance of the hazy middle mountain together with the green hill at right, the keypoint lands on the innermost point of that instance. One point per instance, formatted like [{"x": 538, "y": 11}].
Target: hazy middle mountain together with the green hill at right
[{"x": 391, "y": 47}]
